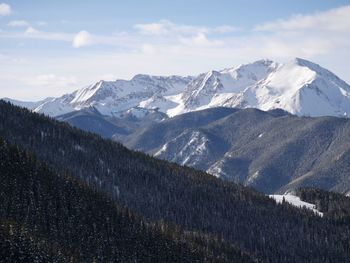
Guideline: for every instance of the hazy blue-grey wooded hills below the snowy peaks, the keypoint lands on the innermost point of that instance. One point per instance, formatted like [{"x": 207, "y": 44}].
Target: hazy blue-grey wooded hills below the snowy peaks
[{"x": 272, "y": 151}]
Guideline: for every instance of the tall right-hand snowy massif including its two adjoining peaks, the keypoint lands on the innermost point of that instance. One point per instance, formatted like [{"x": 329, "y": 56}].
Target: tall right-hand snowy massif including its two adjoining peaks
[{"x": 299, "y": 87}]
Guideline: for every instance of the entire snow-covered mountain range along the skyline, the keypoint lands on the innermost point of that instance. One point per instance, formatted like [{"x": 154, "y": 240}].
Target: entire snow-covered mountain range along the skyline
[{"x": 299, "y": 87}]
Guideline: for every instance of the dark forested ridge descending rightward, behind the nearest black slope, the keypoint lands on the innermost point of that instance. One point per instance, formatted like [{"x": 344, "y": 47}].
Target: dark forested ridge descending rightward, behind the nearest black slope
[{"x": 159, "y": 190}]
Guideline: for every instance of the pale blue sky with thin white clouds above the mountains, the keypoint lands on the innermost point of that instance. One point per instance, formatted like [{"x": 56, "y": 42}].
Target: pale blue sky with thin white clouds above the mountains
[{"x": 49, "y": 48}]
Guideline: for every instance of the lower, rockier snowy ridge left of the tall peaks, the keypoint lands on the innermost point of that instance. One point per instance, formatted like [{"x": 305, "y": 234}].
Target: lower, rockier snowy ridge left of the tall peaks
[{"x": 113, "y": 97}]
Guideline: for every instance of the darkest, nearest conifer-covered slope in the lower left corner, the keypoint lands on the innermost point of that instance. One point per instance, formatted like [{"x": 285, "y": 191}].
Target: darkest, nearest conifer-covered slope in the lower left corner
[{"x": 49, "y": 217}]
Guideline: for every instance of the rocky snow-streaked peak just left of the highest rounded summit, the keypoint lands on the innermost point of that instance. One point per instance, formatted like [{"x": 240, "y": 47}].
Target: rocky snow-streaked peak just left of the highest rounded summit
[{"x": 216, "y": 88}]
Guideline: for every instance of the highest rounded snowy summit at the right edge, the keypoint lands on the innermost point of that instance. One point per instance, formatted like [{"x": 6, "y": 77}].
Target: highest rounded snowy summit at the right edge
[{"x": 303, "y": 88}]
